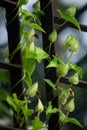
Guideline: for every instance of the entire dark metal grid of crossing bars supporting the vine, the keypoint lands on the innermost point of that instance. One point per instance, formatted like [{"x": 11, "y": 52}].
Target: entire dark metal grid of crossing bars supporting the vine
[{"x": 15, "y": 66}]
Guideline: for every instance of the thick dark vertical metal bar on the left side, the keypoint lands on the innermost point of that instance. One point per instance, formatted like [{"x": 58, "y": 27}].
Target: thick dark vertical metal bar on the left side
[{"x": 13, "y": 29}]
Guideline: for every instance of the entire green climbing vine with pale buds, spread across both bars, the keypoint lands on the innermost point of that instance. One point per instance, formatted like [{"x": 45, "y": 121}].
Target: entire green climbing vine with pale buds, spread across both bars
[{"x": 31, "y": 53}]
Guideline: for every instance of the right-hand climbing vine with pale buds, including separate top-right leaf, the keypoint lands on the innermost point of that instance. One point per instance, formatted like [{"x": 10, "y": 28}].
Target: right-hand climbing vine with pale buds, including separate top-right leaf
[{"x": 65, "y": 94}]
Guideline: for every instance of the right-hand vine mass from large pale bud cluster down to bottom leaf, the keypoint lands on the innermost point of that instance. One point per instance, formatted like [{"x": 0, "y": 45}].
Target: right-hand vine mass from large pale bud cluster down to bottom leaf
[{"x": 65, "y": 94}]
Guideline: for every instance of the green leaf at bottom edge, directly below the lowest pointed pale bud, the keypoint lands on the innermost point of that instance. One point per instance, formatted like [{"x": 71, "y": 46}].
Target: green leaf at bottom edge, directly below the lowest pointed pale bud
[{"x": 37, "y": 124}]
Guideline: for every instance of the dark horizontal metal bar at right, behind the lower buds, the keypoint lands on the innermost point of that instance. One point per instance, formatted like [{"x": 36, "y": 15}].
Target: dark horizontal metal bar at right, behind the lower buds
[{"x": 81, "y": 84}]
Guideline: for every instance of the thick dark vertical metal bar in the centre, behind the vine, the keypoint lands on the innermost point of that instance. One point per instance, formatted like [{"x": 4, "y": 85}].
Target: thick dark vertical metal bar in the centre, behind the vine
[{"x": 47, "y": 24}]
